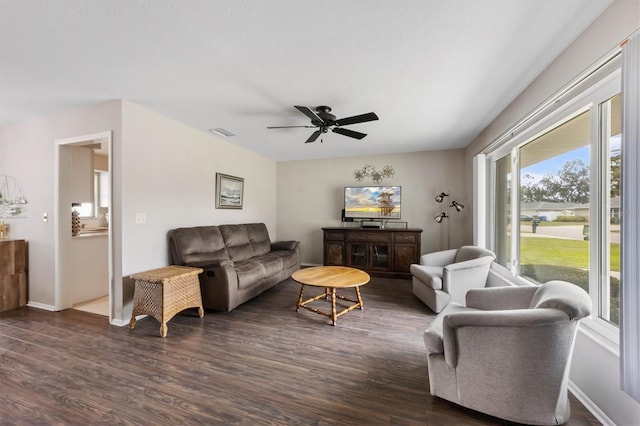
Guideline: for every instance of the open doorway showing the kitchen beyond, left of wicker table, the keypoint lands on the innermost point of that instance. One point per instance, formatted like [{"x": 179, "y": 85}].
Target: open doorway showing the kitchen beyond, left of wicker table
[{"x": 83, "y": 256}]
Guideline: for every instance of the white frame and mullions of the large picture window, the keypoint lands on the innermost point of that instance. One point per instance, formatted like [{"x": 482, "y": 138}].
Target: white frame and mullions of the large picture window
[{"x": 597, "y": 90}]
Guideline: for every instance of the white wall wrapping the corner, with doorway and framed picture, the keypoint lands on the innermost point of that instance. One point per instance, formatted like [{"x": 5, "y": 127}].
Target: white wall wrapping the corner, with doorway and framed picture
[{"x": 160, "y": 167}]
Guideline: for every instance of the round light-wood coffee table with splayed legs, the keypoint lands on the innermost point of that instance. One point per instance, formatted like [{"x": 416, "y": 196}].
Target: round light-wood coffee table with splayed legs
[{"x": 331, "y": 278}]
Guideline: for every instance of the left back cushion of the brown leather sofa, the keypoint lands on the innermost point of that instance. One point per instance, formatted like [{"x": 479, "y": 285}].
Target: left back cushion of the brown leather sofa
[{"x": 198, "y": 244}]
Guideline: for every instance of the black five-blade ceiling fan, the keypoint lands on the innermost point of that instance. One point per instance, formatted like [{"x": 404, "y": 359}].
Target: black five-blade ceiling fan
[{"x": 324, "y": 120}]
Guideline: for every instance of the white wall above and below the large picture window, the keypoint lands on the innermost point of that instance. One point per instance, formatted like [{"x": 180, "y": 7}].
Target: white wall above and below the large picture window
[{"x": 595, "y": 370}]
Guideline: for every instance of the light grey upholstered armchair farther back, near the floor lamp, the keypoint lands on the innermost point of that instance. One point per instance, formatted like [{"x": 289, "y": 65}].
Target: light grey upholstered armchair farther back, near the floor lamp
[{"x": 446, "y": 276}]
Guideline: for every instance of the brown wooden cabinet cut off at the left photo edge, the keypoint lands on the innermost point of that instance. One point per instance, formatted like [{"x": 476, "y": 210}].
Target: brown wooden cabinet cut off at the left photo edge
[{"x": 13, "y": 274}]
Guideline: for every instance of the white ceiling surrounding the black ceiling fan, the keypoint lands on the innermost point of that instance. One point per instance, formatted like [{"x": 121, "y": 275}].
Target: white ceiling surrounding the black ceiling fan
[{"x": 436, "y": 72}]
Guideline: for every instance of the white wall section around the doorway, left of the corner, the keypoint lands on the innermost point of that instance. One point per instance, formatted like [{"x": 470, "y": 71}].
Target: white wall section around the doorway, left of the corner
[{"x": 27, "y": 153}]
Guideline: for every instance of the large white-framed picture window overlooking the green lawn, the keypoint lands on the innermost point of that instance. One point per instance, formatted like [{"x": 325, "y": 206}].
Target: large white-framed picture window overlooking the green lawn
[{"x": 556, "y": 197}]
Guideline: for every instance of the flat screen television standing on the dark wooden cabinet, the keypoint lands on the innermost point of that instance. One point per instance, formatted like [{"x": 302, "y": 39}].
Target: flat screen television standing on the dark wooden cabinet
[{"x": 372, "y": 202}]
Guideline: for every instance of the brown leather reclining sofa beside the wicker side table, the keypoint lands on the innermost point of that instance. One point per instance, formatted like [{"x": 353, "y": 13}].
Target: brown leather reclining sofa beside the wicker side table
[{"x": 239, "y": 261}]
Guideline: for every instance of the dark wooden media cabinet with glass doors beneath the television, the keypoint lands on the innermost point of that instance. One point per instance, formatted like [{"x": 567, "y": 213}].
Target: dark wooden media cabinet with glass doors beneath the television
[{"x": 387, "y": 252}]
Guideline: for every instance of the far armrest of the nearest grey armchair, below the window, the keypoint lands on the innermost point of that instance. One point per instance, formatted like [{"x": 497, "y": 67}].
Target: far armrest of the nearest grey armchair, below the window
[{"x": 496, "y": 298}]
